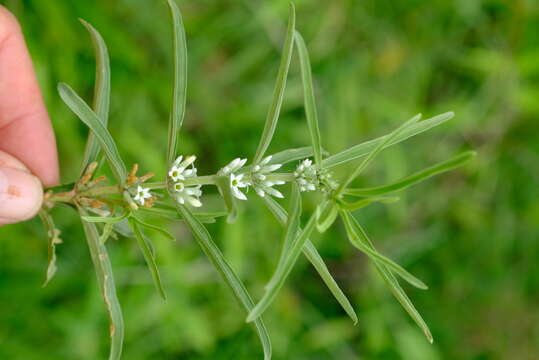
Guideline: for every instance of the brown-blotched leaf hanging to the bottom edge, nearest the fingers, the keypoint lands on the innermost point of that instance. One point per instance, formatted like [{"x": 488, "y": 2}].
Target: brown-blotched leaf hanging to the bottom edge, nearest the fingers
[{"x": 105, "y": 279}]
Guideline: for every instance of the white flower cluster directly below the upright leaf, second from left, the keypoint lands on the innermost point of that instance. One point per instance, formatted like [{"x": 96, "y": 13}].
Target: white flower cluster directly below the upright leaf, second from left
[{"x": 181, "y": 170}]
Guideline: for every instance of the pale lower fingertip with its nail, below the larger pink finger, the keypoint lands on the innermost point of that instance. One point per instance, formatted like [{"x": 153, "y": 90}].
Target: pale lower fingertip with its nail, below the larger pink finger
[{"x": 21, "y": 195}]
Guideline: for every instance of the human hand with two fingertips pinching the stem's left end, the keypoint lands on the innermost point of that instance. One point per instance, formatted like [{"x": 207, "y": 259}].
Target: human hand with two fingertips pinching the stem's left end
[{"x": 28, "y": 156}]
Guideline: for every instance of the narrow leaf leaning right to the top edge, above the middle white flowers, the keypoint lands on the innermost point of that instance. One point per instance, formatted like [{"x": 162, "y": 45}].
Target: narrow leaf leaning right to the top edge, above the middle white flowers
[{"x": 278, "y": 93}]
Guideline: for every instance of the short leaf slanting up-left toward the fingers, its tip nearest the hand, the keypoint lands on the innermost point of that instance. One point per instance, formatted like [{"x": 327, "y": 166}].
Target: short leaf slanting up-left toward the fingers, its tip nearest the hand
[{"x": 83, "y": 111}]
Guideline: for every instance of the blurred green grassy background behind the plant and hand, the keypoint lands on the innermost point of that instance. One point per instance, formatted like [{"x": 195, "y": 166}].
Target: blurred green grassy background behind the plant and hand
[{"x": 470, "y": 234}]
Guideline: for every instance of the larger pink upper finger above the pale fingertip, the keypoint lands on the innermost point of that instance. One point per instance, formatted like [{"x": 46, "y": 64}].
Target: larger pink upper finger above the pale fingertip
[{"x": 25, "y": 129}]
